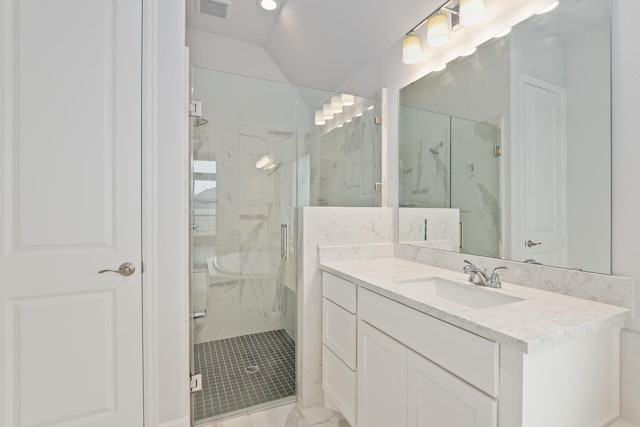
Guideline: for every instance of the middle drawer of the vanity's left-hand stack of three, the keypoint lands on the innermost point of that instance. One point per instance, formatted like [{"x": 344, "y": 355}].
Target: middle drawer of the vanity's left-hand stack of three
[{"x": 339, "y": 332}]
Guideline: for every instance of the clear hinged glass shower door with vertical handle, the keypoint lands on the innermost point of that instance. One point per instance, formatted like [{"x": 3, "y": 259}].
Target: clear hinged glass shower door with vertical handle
[{"x": 243, "y": 279}]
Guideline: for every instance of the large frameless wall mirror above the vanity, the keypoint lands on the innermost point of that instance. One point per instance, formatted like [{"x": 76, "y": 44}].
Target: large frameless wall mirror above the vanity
[{"x": 515, "y": 140}]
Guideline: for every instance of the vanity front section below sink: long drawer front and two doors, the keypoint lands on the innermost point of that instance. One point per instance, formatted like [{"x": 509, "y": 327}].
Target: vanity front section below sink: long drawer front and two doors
[{"x": 399, "y": 386}]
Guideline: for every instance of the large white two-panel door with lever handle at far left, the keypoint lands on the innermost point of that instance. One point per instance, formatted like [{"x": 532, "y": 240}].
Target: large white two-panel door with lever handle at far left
[{"x": 70, "y": 192}]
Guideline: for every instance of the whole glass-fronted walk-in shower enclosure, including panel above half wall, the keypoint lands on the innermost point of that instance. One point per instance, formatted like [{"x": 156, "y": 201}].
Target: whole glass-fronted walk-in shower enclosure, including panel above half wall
[{"x": 258, "y": 151}]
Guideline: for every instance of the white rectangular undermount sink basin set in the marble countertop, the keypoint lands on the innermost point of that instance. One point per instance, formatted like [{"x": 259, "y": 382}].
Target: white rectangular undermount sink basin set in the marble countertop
[{"x": 436, "y": 288}]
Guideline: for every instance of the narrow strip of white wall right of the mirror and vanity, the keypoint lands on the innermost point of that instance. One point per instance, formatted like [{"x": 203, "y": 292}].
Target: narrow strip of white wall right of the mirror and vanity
[{"x": 626, "y": 175}]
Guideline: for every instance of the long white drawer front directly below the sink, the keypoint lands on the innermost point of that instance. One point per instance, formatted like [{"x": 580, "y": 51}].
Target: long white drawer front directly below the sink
[{"x": 469, "y": 356}]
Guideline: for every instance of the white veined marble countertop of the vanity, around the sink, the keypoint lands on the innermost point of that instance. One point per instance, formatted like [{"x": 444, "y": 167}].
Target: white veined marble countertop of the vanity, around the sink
[{"x": 540, "y": 320}]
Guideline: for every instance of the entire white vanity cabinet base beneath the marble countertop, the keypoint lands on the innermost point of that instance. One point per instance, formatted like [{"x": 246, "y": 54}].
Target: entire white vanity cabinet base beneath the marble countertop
[{"x": 412, "y": 369}]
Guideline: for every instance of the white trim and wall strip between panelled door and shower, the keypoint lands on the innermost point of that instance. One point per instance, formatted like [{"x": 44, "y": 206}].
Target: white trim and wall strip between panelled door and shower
[{"x": 165, "y": 183}]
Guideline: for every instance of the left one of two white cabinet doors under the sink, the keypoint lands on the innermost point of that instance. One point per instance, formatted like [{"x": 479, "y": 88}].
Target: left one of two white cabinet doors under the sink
[{"x": 382, "y": 379}]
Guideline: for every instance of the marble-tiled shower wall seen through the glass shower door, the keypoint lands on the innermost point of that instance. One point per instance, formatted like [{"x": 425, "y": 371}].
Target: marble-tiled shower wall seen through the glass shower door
[{"x": 249, "y": 206}]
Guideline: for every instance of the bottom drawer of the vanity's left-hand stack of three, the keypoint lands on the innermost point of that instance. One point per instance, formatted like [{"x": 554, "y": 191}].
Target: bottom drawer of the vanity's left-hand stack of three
[{"x": 339, "y": 383}]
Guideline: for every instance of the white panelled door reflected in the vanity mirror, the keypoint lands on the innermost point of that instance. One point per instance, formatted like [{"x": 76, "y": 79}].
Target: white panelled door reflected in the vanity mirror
[{"x": 545, "y": 174}]
